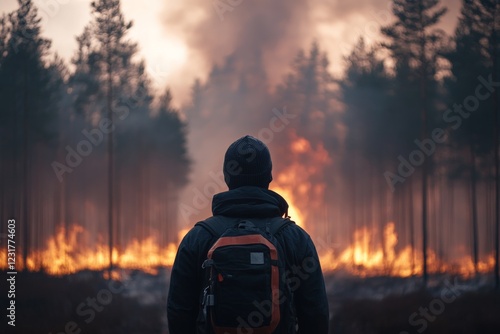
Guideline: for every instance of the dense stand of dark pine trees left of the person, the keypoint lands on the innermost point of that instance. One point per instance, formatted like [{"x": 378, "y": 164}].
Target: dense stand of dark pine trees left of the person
[{"x": 87, "y": 144}]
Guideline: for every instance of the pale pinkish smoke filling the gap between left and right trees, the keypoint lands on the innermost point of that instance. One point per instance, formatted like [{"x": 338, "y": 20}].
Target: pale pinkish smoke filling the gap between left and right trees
[{"x": 241, "y": 51}]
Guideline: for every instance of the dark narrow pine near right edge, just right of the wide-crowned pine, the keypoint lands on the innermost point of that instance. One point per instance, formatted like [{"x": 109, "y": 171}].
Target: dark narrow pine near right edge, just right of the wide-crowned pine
[{"x": 468, "y": 63}]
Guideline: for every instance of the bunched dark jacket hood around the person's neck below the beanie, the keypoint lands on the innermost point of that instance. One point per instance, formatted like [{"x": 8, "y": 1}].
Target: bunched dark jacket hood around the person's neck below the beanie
[{"x": 249, "y": 201}]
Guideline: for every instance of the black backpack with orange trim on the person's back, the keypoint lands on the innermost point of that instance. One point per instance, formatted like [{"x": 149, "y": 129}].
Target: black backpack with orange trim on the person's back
[{"x": 243, "y": 269}]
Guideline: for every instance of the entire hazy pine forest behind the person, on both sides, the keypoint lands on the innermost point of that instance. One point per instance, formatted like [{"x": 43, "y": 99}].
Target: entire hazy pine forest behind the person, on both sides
[{"x": 411, "y": 129}]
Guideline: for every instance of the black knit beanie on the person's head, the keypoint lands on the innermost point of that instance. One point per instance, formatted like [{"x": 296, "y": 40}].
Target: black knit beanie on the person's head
[{"x": 247, "y": 163}]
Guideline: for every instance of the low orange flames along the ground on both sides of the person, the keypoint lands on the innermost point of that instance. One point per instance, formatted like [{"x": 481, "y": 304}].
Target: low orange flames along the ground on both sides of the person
[{"x": 63, "y": 255}]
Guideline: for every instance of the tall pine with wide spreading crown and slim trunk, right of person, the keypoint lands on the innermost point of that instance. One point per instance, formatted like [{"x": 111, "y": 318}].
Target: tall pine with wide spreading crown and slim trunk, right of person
[{"x": 415, "y": 46}]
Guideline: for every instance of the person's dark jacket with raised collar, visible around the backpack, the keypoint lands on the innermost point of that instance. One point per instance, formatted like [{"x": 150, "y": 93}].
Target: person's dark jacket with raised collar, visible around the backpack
[{"x": 303, "y": 269}]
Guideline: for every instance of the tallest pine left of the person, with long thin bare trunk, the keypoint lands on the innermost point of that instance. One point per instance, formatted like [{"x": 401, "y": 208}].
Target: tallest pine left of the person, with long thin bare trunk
[{"x": 103, "y": 80}]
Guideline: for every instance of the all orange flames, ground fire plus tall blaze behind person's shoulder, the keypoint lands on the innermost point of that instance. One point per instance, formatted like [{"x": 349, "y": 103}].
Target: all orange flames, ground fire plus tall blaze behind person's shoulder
[{"x": 64, "y": 254}]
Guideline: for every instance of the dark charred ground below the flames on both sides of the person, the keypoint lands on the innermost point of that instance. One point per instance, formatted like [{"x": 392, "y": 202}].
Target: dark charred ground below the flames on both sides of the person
[{"x": 86, "y": 301}]
